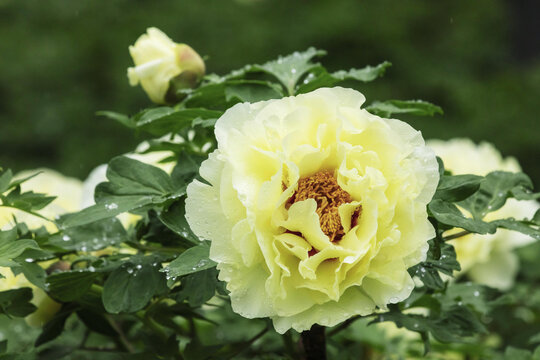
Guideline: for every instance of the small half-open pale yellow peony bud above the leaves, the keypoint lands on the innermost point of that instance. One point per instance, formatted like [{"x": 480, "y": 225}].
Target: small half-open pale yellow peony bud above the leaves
[{"x": 159, "y": 60}]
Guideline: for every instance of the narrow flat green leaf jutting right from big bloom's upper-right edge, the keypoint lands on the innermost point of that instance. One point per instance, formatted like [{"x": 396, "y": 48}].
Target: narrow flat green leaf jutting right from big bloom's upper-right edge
[{"x": 412, "y": 107}]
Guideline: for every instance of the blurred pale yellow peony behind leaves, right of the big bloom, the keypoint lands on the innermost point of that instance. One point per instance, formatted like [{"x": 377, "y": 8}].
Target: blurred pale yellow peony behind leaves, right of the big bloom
[{"x": 486, "y": 259}]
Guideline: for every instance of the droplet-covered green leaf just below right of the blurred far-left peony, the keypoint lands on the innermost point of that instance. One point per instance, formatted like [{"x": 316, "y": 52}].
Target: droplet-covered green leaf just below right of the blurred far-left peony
[{"x": 91, "y": 237}]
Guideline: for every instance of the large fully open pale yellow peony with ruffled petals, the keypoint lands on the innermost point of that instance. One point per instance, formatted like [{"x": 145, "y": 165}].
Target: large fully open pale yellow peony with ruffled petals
[{"x": 315, "y": 209}]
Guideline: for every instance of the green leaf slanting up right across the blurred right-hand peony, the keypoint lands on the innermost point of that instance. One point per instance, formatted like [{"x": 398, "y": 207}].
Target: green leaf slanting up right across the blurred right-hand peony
[{"x": 493, "y": 192}]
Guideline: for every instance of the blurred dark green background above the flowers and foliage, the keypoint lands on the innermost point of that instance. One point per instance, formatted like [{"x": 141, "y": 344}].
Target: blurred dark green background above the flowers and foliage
[{"x": 63, "y": 60}]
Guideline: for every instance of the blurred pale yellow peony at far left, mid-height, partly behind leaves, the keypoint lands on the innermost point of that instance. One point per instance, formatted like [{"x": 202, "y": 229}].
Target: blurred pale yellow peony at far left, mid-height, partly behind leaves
[{"x": 67, "y": 190}]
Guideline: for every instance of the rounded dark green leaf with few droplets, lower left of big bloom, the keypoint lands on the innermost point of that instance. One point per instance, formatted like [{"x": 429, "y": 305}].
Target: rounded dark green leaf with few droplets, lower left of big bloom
[{"x": 131, "y": 286}]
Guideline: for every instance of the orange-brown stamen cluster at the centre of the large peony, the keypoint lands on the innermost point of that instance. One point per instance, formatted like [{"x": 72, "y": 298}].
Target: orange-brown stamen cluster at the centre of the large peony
[{"x": 324, "y": 189}]
